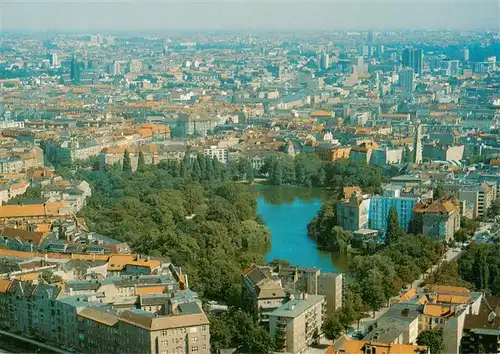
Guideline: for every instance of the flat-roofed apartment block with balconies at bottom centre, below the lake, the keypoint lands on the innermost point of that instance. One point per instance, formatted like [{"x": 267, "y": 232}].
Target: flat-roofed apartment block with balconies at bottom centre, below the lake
[{"x": 296, "y": 325}]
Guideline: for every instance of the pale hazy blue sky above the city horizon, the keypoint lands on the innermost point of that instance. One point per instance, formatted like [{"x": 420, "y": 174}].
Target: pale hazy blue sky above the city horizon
[{"x": 158, "y": 15}]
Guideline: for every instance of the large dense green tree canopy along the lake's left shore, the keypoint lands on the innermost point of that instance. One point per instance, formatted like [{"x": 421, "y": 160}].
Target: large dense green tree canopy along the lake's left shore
[{"x": 211, "y": 229}]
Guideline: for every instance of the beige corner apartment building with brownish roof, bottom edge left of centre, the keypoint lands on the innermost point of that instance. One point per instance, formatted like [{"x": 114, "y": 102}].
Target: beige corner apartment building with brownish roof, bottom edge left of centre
[{"x": 102, "y": 330}]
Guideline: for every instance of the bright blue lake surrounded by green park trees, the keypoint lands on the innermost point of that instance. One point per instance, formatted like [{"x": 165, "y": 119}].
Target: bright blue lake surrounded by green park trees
[{"x": 286, "y": 211}]
